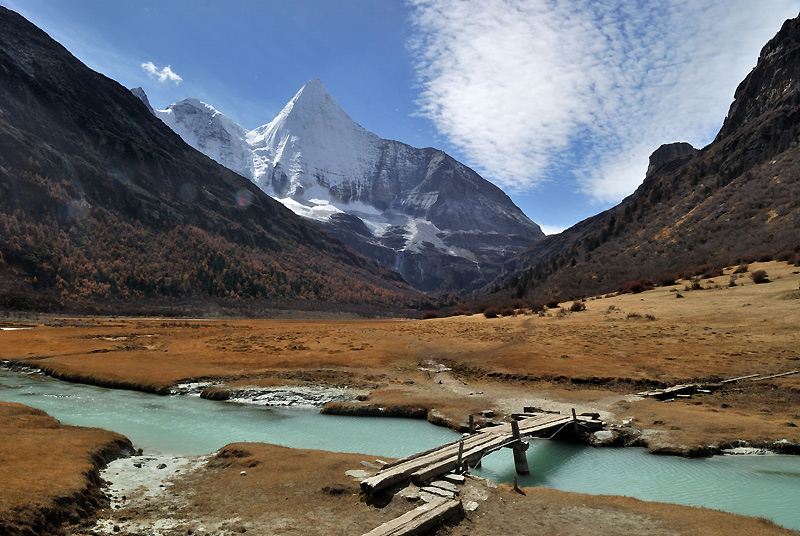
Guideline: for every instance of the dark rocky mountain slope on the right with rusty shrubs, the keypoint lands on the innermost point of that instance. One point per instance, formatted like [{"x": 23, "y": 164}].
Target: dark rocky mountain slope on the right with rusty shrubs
[{"x": 738, "y": 196}]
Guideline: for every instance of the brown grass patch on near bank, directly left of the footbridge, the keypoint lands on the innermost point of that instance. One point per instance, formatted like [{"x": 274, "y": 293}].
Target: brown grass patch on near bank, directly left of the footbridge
[{"x": 284, "y": 491}]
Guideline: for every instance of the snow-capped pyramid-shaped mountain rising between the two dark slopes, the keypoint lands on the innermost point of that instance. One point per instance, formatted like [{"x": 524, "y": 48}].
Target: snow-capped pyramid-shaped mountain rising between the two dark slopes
[{"x": 419, "y": 211}]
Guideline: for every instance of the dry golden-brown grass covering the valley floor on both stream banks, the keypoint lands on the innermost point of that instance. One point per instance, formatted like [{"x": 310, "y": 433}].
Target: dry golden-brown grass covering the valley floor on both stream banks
[{"x": 588, "y": 359}]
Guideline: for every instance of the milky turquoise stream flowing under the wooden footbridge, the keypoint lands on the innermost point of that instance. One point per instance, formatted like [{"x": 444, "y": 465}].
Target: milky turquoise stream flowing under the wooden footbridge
[{"x": 755, "y": 485}]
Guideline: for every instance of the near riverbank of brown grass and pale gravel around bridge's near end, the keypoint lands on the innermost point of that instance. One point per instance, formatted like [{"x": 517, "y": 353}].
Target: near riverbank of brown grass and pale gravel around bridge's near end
[{"x": 266, "y": 489}]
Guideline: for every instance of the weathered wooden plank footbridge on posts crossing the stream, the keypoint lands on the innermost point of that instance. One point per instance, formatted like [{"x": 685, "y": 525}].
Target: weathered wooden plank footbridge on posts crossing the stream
[{"x": 468, "y": 451}]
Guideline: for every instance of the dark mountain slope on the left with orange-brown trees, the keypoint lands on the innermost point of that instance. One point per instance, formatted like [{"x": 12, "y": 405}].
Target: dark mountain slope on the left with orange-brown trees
[{"x": 102, "y": 206}]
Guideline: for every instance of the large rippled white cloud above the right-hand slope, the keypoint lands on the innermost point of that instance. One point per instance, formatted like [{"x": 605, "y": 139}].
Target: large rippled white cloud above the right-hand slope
[{"x": 538, "y": 90}]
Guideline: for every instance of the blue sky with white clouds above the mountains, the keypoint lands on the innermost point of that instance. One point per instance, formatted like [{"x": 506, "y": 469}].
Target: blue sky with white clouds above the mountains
[{"x": 558, "y": 102}]
